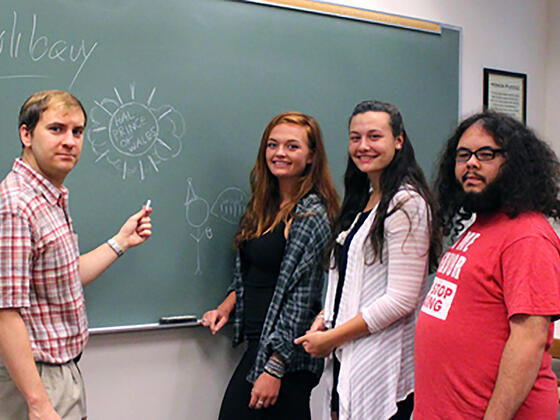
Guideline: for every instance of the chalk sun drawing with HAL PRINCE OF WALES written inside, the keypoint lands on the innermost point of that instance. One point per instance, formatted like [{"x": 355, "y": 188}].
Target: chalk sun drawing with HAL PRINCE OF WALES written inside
[{"x": 133, "y": 136}]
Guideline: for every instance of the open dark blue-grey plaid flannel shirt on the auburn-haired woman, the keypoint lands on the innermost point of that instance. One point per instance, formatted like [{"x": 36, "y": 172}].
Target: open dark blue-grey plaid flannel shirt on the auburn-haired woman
[{"x": 297, "y": 295}]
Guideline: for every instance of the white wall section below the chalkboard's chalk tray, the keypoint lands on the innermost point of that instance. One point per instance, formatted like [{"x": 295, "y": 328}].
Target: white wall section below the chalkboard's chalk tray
[{"x": 157, "y": 375}]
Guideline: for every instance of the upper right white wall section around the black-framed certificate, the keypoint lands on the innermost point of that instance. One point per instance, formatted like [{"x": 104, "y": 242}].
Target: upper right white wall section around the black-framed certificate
[{"x": 503, "y": 34}]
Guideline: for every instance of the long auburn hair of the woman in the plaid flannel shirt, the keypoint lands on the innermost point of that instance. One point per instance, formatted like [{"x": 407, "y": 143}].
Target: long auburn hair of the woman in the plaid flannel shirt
[{"x": 263, "y": 211}]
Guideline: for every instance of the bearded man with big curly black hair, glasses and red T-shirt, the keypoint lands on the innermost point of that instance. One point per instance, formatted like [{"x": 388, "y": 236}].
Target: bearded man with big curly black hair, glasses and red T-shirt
[{"x": 485, "y": 326}]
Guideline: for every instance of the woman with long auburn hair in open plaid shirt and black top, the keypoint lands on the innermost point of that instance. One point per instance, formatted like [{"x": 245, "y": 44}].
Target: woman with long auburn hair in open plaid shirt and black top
[{"x": 279, "y": 275}]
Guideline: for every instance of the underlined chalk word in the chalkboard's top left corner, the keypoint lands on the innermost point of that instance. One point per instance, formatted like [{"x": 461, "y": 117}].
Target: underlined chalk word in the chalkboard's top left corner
[{"x": 27, "y": 40}]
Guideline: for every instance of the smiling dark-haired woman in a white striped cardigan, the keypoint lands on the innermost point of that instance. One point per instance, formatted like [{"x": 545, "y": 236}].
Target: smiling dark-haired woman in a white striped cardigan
[{"x": 386, "y": 242}]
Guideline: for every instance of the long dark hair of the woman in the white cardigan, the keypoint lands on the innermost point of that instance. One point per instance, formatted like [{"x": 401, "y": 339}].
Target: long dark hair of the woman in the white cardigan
[{"x": 403, "y": 170}]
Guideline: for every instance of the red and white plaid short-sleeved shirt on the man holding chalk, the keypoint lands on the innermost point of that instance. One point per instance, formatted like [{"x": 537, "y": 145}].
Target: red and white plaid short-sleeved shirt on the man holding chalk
[{"x": 39, "y": 264}]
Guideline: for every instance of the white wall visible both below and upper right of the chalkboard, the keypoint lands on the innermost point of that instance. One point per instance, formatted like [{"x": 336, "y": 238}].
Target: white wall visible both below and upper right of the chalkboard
[{"x": 181, "y": 374}]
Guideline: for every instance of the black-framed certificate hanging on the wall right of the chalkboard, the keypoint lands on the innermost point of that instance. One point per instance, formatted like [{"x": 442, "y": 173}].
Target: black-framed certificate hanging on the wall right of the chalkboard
[{"x": 506, "y": 92}]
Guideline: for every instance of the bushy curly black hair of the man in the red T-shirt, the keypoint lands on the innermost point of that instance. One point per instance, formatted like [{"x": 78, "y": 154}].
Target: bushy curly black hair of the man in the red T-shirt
[{"x": 528, "y": 179}]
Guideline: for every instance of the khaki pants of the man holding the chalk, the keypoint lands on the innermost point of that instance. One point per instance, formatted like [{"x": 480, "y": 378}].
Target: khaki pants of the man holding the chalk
[{"x": 64, "y": 385}]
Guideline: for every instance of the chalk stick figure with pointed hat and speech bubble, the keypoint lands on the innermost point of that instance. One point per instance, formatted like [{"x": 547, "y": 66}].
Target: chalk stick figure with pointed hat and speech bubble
[{"x": 227, "y": 207}]
